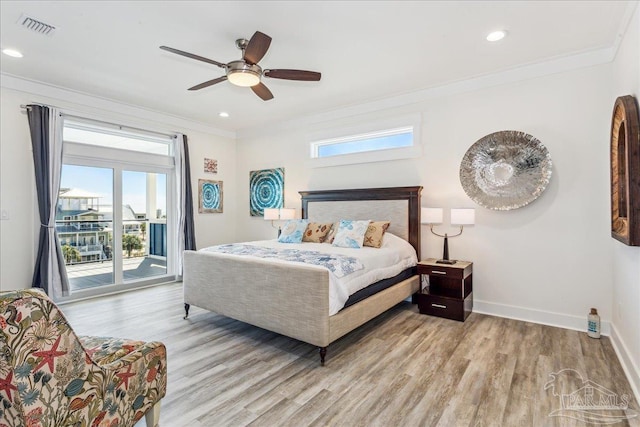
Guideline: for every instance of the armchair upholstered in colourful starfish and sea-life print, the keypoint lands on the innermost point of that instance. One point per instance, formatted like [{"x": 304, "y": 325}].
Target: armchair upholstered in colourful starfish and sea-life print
[{"x": 50, "y": 377}]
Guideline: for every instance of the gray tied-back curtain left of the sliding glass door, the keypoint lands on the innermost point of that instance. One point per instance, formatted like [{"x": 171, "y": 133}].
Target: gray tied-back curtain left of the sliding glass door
[{"x": 45, "y": 125}]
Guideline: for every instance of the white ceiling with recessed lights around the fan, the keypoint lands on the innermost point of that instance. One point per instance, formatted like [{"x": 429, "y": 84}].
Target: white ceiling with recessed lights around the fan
[{"x": 366, "y": 50}]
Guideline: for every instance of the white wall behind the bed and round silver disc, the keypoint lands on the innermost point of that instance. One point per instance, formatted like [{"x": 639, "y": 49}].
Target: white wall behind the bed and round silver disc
[{"x": 549, "y": 261}]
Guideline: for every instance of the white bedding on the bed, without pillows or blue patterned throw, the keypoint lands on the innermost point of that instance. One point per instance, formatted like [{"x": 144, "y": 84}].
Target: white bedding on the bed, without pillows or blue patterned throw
[{"x": 394, "y": 256}]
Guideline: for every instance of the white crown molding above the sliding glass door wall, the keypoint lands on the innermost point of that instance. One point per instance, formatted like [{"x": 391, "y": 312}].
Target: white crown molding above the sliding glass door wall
[{"x": 82, "y": 102}]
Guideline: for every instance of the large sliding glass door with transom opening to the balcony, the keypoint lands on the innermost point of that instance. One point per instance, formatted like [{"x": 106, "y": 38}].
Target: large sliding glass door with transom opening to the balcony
[{"x": 117, "y": 183}]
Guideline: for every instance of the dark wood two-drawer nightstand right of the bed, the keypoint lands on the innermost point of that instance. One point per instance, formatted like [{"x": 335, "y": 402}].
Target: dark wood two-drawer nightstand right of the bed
[{"x": 450, "y": 290}]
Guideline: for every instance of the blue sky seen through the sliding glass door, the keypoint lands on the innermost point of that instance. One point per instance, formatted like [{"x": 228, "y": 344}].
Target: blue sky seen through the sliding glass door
[{"x": 100, "y": 181}]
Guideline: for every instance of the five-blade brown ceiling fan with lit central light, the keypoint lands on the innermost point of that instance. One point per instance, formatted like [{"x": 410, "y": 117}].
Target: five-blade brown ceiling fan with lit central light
[{"x": 246, "y": 72}]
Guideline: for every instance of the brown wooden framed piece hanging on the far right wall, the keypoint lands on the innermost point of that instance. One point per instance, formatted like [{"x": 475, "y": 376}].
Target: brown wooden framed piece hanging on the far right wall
[{"x": 625, "y": 171}]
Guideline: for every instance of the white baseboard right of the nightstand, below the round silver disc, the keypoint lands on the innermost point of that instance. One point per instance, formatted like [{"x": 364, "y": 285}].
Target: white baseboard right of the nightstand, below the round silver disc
[{"x": 560, "y": 320}]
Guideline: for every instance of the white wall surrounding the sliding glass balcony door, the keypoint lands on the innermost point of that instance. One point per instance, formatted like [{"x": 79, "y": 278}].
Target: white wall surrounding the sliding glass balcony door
[{"x": 18, "y": 238}]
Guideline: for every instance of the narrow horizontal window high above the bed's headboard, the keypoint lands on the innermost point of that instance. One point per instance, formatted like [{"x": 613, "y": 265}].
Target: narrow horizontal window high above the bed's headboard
[{"x": 378, "y": 141}]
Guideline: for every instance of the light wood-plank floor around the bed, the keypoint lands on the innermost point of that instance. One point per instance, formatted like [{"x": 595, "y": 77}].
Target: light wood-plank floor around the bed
[{"x": 400, "y": 369}]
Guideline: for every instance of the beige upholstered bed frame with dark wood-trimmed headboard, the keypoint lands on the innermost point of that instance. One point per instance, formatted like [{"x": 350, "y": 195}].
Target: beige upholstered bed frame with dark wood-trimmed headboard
[{"x": 293, "y": 300}]
